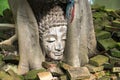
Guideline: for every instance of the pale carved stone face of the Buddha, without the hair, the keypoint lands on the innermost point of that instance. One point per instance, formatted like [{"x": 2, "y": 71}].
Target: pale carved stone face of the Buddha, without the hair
[{"x": 54, "y": 42}]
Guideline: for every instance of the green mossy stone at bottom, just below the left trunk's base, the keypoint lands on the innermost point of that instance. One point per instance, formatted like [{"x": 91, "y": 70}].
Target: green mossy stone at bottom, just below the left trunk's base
[{"x": 31, "y": 75}]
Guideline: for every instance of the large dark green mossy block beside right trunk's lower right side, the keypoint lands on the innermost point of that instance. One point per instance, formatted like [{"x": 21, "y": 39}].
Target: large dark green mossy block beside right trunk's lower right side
[{"x": 107, "y": 44}]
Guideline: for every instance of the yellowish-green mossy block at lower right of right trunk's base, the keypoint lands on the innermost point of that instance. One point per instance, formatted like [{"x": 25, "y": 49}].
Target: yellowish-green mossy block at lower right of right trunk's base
[{"x": 98, "y": 60}]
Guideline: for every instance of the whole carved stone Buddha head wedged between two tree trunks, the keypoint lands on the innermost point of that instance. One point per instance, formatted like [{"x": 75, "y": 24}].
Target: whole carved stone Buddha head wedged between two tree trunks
[{"x": 52, "y": 29}]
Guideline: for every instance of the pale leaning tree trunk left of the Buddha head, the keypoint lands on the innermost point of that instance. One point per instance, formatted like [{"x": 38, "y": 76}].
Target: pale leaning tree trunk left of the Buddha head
[{"x": 28, "y": 37}]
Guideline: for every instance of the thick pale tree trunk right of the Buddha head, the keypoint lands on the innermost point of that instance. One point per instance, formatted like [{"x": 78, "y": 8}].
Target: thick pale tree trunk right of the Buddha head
[{"x": 81, "y": 42}]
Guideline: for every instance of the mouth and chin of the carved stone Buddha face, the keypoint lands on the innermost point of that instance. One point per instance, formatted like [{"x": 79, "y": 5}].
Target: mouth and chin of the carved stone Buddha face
[{"x": 56, "y": 56}]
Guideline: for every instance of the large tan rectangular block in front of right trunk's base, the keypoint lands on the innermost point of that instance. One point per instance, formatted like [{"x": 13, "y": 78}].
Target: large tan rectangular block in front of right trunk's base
[{"x": 78, "y": 73}]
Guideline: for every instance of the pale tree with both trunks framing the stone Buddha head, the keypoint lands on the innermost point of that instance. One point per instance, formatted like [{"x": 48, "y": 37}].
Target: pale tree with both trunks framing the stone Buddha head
[{"x": 80, "y": 35}]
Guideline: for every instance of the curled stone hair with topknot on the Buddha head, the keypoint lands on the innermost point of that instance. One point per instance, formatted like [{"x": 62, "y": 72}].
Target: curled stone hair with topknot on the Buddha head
[{"x": 53, "y": 18}]
